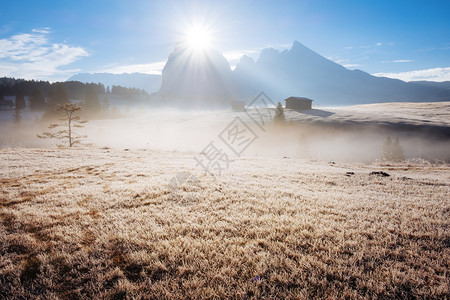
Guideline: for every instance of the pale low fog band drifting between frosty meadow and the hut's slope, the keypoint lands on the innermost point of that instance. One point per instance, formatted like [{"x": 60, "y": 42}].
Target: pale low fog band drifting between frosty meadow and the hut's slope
[{"x": 192, "y": 131}]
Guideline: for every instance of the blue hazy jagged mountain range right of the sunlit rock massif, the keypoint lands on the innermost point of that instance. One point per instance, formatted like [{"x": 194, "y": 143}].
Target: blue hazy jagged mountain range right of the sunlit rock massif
[{"x": 302, "y": 72}]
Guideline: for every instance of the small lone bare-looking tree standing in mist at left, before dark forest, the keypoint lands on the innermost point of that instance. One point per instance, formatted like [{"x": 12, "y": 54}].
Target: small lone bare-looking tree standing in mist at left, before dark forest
[{"x": 69, "y": 122}]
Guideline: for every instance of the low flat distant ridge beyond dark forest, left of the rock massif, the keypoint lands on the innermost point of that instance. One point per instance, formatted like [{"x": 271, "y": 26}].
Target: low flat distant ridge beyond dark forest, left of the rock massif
[{"x": 148, "y": 82}]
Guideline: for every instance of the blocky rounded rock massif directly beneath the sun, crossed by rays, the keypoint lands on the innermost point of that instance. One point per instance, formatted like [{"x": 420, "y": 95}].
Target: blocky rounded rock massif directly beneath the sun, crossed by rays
[{"x": 194, "y": 76}]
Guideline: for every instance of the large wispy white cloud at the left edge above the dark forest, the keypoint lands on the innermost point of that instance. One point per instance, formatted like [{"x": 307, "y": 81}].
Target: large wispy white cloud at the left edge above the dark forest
[{"x": 33, "y": 56}]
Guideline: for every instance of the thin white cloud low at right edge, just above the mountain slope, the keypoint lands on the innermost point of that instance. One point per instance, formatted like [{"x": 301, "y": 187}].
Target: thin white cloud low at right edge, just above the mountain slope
[{"x": 434, "y": 74}]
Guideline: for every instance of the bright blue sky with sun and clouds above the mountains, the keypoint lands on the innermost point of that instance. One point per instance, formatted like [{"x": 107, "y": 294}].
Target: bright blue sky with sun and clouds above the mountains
[{"x": 52, "y": 40}]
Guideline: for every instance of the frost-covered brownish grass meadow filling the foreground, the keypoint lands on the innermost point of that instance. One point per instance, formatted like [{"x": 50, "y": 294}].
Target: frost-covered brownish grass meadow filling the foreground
[{"x": 103, "y": 223}]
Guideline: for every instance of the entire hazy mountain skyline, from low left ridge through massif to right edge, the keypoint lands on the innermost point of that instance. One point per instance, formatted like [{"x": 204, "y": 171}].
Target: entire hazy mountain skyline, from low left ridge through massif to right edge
[{"x": 204, "y": 78}]
